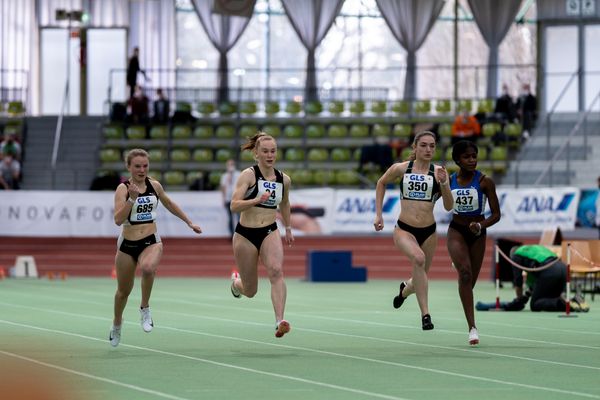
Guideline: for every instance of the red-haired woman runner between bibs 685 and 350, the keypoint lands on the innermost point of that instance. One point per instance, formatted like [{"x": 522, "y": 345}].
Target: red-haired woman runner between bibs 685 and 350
[{"x": 258, "y": 192}]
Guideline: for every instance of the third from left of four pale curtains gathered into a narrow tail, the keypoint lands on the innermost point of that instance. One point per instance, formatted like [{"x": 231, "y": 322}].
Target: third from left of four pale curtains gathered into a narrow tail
[{"x": 410, "y": 22}]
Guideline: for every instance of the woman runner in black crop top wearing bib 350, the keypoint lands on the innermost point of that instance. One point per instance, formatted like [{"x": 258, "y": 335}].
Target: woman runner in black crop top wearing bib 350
[{"x": 421, "y": 184}]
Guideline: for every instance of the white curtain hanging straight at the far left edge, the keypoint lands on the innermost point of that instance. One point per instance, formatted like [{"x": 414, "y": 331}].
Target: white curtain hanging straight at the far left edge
[{"x": 19, "y": 53}]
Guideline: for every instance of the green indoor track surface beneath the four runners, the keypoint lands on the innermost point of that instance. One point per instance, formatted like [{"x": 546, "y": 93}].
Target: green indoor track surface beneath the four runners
[{"x": 347, "y": 342}]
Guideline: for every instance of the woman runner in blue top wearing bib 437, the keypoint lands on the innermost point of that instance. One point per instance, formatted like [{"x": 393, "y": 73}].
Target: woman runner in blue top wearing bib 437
[{"x": 466, "y": 237}]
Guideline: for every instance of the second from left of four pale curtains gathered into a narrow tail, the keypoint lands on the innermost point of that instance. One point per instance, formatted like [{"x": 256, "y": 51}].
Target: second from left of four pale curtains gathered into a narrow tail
[{"x": 311, "y": 20}]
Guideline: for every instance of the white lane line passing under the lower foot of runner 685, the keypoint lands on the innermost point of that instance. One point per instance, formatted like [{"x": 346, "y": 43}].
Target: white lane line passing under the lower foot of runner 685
[{"x": 206, "y": 361}]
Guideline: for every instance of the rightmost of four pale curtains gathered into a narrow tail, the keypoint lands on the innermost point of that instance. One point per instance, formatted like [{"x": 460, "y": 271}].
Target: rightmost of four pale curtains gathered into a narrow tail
[{"x": 494, "y": 19}]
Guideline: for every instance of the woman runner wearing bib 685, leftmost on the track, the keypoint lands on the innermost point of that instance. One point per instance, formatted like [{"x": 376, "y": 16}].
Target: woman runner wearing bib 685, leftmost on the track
[{"x": 135, "y": 204}]
